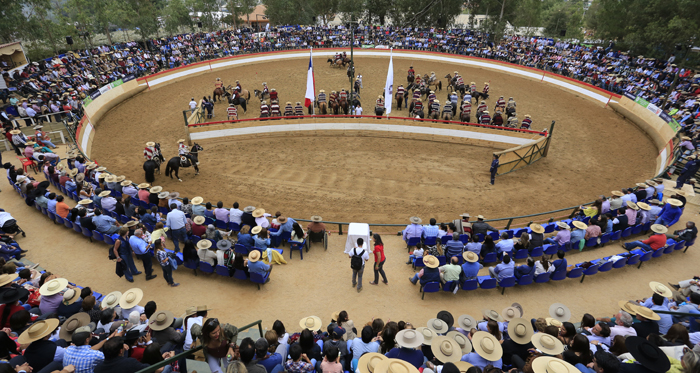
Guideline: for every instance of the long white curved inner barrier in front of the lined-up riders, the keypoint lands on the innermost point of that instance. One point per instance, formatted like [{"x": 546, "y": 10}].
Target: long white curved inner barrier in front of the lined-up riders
[{"x": 335, "y": 126}]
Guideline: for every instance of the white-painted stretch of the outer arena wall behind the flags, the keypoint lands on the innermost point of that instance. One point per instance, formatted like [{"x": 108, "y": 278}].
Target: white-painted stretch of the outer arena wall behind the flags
[{"x": 425, "y": 56}]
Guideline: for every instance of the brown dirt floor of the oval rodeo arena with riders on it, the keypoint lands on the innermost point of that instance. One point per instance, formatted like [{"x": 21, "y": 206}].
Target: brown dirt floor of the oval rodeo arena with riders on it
[{"x": 379, "y": 180}]
